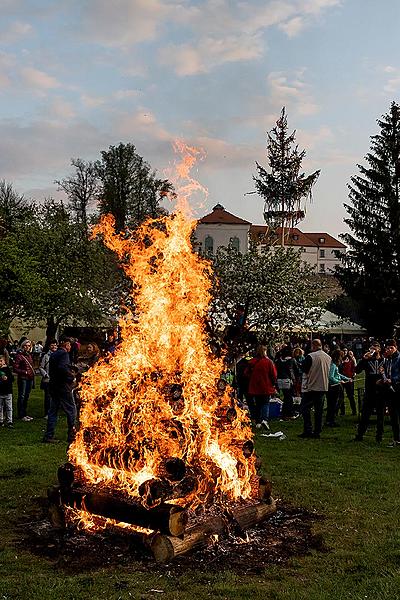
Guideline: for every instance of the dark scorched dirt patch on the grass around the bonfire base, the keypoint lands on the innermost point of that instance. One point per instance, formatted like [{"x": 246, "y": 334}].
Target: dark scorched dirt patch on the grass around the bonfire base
[{"x": 286, "y": 534}]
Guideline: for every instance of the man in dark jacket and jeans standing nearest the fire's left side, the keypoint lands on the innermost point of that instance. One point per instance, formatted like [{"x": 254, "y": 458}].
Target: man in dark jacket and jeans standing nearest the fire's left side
[{"x": 60, "y": 386}]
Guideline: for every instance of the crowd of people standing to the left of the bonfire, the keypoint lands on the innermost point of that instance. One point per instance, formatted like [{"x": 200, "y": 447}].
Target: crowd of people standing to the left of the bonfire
[{"x": 60, "y": 366}]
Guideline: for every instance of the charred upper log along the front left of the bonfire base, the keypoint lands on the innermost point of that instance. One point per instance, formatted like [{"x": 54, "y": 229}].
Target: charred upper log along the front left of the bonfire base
[{"x": 167, "y": 518}]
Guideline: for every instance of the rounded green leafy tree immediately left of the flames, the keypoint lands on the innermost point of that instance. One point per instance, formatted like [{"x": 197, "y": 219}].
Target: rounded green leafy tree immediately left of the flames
[{"x": 78, "y": 277}]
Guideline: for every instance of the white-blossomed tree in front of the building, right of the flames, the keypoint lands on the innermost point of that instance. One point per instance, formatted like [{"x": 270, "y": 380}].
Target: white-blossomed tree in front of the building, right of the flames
[{"x": 276, "y": 290}]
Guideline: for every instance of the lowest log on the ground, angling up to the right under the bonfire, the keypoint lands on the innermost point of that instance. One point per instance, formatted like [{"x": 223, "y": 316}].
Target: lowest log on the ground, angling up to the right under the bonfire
[{"x": 165, "y": 547}]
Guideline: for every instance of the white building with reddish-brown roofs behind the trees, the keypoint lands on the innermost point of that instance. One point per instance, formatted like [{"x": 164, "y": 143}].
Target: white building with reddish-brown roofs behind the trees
[{"x": 221, "y": 228}]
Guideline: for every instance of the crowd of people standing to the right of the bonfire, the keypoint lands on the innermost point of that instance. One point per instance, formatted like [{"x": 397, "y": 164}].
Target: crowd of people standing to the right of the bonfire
[{"x": 305, "y": 377}]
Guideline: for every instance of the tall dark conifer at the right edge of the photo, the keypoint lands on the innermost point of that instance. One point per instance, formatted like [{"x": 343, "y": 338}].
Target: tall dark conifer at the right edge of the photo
[{"x": 371, "y": 267}]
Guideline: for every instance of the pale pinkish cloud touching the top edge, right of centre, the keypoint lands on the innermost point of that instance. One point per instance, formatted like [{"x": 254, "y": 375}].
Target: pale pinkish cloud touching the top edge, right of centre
[{"x": 215, "y": 31}]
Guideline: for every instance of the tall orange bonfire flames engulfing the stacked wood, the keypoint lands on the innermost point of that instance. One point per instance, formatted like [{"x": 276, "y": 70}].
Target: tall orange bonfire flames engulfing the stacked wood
[{"x": 156, "y": 420}]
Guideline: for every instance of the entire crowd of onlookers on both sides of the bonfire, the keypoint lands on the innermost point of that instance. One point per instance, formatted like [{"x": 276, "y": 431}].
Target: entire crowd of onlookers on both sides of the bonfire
[{"x": 303, "y": 377}]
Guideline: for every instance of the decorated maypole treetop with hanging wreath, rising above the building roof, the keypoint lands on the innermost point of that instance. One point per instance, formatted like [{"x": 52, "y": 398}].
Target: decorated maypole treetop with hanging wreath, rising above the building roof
[{"x": 284, "y": 187}]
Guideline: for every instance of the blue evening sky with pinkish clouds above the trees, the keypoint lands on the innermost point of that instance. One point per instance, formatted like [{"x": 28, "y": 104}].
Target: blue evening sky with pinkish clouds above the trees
[{"x": 80, "y": 75}]
